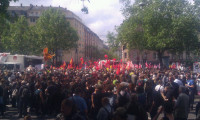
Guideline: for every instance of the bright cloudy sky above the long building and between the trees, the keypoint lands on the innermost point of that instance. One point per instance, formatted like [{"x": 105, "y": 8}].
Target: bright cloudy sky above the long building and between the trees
[{"x": 103, "y": 15}]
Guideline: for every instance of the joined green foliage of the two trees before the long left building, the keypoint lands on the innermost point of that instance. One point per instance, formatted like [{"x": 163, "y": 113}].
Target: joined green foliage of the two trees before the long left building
[{"x": 52, "y": 30}]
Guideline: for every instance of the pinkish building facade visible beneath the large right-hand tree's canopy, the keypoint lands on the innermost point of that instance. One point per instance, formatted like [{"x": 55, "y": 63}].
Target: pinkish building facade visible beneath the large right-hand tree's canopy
[{"x": 137, "y": 56}]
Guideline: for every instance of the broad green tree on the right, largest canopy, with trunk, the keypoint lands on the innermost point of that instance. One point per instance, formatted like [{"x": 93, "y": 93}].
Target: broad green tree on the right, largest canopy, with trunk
[{"x": 161, "y": 25}]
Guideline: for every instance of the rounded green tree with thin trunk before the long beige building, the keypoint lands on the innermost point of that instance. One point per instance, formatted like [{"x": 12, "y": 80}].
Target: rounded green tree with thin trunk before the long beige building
[{"x": 54, "y": 31}]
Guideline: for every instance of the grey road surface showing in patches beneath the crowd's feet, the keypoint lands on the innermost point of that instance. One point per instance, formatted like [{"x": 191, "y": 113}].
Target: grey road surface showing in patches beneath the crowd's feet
[{"x": 11, "y": 113}]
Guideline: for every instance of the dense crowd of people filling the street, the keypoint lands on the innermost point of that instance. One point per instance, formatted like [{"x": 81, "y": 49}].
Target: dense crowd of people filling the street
[{"x": 87, "y": 94}]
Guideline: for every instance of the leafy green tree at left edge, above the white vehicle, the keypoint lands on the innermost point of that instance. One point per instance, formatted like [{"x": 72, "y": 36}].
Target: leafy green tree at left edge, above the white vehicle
[{"x": 15, "y": 38}]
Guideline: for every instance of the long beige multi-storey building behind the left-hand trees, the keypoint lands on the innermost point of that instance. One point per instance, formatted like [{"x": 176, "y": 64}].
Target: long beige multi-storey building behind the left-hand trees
[{"x": 88, "y": 41}]
